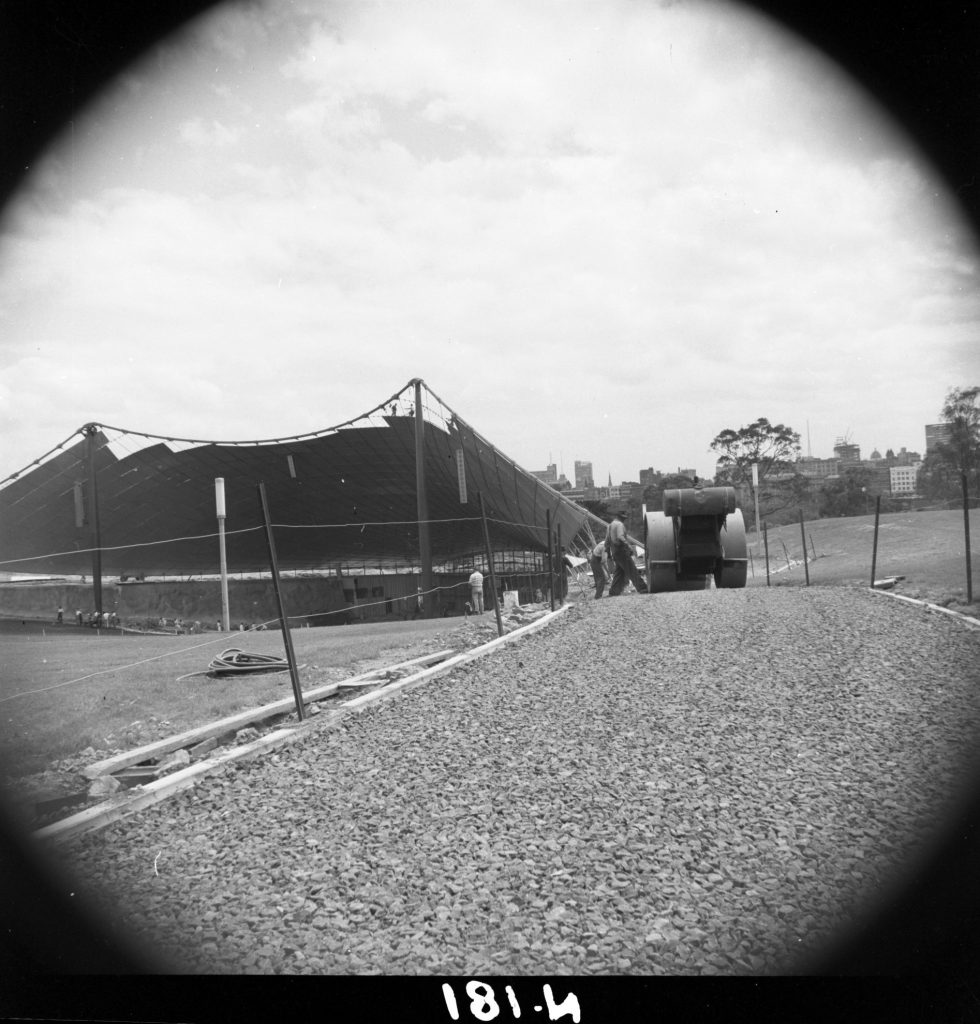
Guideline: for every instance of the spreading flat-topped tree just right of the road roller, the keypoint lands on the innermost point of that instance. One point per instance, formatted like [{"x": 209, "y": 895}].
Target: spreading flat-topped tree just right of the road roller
[{"x": 774, "y": 448}]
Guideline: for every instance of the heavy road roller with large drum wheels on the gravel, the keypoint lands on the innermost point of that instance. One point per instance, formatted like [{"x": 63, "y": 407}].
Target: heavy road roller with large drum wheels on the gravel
[{"x": 700, "y": 536}]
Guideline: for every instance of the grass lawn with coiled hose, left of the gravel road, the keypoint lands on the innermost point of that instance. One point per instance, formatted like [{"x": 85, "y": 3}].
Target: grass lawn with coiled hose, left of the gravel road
[{"x": 65, "y": 691}]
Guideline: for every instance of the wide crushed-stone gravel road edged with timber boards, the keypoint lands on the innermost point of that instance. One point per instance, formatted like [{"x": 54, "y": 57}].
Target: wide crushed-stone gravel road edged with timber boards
[{"x": 708, "y": 783}]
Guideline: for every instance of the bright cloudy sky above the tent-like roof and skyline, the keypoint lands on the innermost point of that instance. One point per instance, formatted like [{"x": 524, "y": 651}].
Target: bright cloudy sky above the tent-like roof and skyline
[{"x": 600, "y": 230}]
